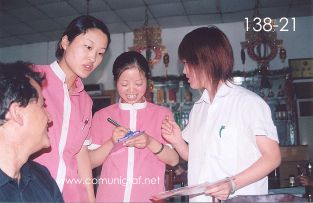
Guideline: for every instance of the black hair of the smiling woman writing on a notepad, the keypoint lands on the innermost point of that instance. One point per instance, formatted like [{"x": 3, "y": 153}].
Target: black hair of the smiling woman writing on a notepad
[{"x": 126, "y": 59}]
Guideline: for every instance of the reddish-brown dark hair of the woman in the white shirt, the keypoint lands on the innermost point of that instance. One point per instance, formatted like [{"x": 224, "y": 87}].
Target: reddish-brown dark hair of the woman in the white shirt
[{"x": 208, "y": 52}]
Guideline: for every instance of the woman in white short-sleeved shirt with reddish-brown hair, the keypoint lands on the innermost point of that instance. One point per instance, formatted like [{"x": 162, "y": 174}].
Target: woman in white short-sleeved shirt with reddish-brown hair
[{"x": 230, "y": 134}]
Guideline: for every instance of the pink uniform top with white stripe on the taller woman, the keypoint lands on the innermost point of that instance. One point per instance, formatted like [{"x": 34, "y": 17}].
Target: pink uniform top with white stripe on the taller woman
[{"x": 71, "y": 120}]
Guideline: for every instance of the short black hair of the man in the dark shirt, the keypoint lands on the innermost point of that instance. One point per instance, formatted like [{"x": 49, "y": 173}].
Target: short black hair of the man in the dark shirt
[{"x": 15, "y": 85}]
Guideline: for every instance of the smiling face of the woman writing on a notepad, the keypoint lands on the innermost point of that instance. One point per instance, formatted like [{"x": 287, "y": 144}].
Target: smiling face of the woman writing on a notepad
[{"x": 132, "y": 85}]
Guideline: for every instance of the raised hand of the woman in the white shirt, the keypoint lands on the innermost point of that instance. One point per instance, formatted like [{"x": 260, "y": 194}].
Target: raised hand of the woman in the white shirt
[{"x": 171, "y": 131}]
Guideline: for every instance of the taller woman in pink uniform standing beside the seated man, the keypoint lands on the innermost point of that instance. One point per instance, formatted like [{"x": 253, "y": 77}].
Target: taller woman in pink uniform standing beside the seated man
[{"x": 79, "y": 52}]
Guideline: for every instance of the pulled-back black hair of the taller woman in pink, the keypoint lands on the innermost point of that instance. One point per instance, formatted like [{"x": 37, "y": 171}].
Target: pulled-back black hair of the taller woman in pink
[{"x": 78, "y": 26}]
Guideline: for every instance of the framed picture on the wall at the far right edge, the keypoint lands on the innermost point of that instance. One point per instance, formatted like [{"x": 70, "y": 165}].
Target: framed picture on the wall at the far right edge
[{"x": 301, "y": 67}]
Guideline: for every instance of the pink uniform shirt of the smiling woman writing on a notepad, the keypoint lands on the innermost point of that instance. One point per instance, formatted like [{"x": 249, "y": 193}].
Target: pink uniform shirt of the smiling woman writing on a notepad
[{"x": 129, "y": 174}]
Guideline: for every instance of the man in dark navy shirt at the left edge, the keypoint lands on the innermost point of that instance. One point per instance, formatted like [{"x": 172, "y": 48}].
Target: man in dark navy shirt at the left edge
[{"x": 23, "y": 131}]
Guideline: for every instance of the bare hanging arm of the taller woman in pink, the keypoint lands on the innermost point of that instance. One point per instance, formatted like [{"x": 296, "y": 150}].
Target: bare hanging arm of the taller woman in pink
[{"x": 85, "y": 172}]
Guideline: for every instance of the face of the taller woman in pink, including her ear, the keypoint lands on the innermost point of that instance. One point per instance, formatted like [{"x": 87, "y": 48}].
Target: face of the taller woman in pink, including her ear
[{"x": 84, "y": 54}]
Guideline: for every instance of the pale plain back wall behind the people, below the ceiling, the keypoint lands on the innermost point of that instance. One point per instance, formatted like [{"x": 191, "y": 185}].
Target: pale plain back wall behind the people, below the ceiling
[{"x": 299, "y": 44}]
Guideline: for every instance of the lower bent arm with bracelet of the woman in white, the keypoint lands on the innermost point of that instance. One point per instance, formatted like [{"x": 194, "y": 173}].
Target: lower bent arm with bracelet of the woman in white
[{"x": 269, "y": 160}]
